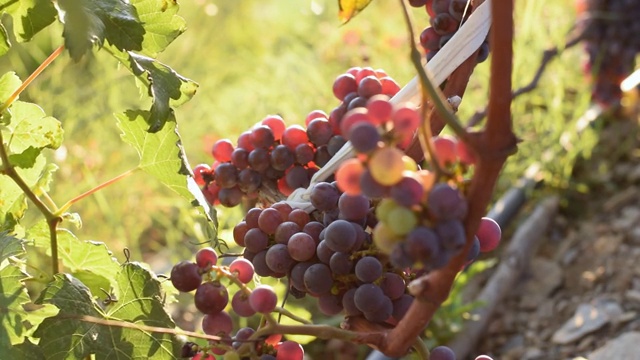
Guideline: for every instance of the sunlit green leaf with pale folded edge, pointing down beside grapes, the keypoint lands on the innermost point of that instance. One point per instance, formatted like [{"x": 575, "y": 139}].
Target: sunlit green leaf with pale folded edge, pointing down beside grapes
[{"x": 161, "y": 155}]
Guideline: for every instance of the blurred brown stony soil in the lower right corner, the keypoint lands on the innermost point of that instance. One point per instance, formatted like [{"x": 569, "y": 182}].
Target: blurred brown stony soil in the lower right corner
[{"x": 589, "y": 263}]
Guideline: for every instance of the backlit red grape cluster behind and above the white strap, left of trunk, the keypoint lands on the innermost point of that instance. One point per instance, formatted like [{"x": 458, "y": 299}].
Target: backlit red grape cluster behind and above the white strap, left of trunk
[{"x": 273, "y": 160}]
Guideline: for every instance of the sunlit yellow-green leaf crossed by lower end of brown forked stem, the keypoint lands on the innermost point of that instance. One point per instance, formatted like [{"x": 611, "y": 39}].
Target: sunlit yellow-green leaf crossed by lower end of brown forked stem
[{"x": 89, "y": 261}]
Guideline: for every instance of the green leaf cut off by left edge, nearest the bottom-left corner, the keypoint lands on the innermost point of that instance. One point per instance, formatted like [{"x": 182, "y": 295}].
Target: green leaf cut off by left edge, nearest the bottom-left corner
[{"x": 16, "y": 321}]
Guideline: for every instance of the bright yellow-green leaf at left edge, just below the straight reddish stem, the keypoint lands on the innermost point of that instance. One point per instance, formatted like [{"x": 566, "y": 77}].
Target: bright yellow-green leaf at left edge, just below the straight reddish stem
[{"x": 30, "y": 127}]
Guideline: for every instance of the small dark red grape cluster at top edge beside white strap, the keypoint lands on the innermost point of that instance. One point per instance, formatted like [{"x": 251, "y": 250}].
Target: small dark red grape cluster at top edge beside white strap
[{"x": 445, "y": 19}]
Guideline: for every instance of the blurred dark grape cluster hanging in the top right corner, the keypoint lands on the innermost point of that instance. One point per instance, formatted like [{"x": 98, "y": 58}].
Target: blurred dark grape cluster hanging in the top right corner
[{"x": 612, "y": 41}]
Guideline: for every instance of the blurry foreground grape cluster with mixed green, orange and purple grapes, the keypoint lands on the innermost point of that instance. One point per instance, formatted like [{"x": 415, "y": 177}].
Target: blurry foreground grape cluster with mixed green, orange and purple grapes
[{"x": 418, "y": 220}]
